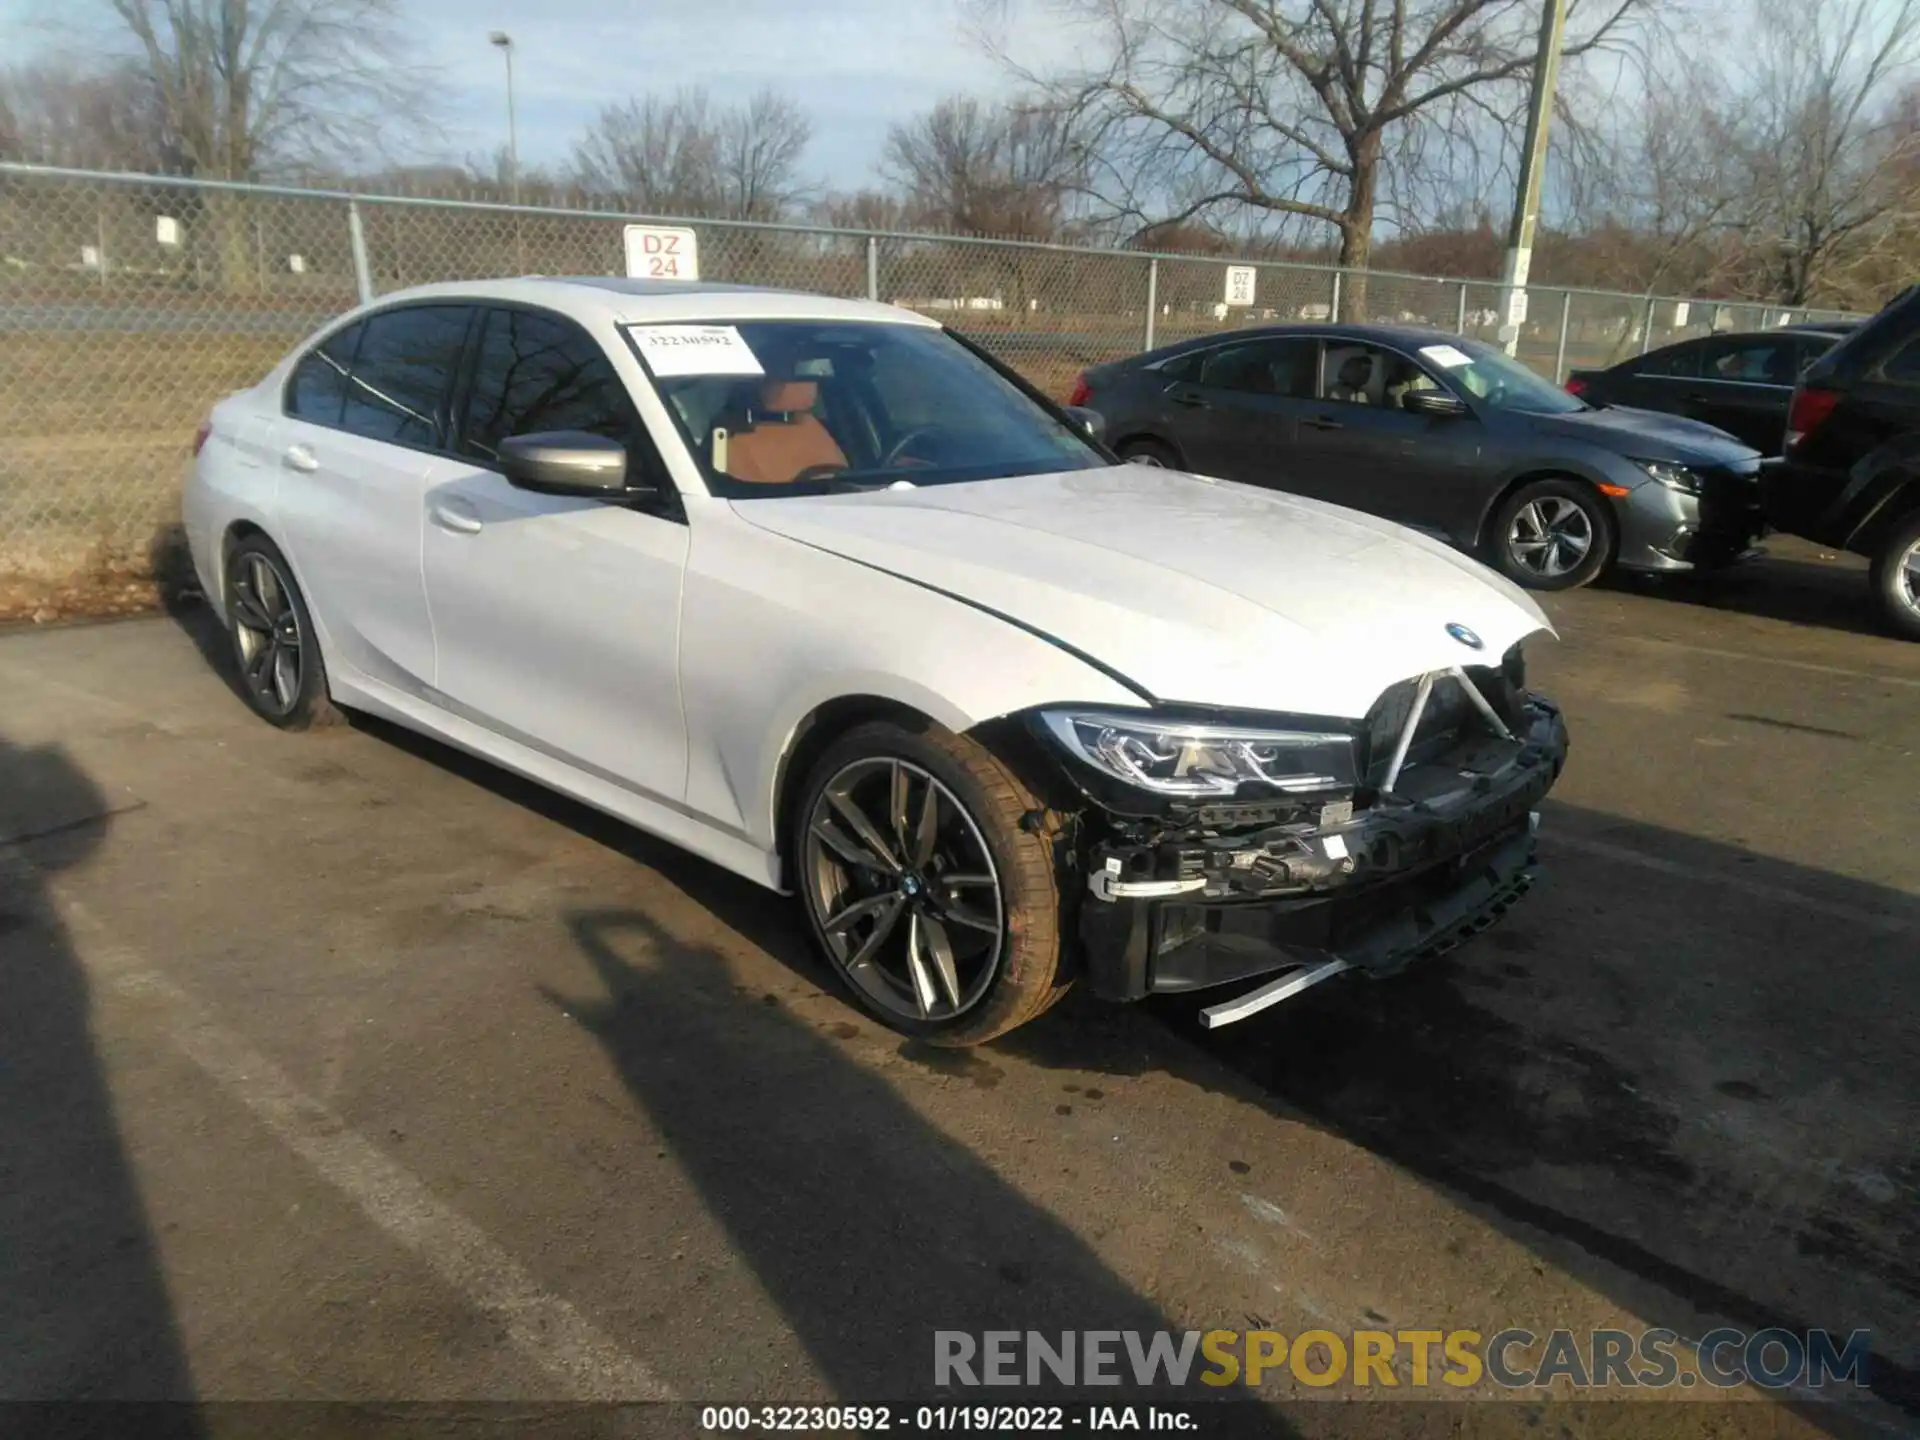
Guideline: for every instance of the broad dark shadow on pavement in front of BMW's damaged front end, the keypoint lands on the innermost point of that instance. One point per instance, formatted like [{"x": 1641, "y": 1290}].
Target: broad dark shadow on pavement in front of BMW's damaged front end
[{"x": 1679, "y": 1072}]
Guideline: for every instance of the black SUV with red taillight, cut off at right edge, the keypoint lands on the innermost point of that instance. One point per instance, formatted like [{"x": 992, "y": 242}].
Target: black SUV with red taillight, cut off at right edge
[{"x": 1852, "y": 469}]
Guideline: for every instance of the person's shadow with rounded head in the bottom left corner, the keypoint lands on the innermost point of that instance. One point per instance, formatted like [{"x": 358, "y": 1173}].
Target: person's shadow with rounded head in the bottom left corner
[{"x": 84, "y": 1305}]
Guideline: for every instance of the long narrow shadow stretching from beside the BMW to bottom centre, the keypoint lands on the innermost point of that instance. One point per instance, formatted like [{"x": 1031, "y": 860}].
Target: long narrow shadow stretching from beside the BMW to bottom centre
[{"x": 867, "y": 1228}]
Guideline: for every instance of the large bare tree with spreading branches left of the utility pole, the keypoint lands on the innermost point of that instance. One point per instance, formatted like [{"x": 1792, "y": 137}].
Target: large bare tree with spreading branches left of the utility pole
[{"x": 1289, "y": 108}]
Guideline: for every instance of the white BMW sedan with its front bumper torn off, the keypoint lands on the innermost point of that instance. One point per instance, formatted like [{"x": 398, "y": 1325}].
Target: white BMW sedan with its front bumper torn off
[{"x": 823, "y": 594}]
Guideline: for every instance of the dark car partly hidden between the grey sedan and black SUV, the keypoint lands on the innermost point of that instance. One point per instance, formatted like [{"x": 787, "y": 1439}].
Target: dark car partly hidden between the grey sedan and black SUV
[{"x": 1740, "y": 383}]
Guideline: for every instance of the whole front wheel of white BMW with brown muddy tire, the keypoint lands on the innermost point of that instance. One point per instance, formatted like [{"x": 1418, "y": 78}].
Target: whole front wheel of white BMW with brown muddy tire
[{"x": 926, "y": 890}]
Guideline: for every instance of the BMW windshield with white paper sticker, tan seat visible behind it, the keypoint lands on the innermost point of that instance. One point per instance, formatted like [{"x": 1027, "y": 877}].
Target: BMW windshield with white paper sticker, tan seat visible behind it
[{"x": 784, "y": 408}]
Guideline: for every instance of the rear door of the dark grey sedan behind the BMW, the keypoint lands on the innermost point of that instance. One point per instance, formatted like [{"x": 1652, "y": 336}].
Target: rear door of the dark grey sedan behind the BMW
[{"x": 1237, "y": 410}]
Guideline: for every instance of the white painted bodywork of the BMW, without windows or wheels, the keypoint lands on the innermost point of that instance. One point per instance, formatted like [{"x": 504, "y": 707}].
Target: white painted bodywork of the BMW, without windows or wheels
[{"x": 660, "y": 669}]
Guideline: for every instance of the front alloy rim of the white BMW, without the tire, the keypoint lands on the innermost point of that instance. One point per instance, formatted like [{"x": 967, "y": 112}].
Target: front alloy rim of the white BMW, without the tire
[{"x": 903, "y": 890}]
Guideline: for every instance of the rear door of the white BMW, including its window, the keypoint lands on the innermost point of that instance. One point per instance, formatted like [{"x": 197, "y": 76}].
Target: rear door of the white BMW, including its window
[{"x": 366, "y": 416}]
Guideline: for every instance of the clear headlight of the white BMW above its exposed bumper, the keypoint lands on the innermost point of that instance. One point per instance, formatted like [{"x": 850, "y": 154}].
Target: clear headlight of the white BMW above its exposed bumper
[{"x": 1199, "y": 761}]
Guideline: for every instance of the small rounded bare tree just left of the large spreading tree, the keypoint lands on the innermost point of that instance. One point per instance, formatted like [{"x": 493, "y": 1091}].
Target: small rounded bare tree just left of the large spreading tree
[{"x": 986, "y": 170}]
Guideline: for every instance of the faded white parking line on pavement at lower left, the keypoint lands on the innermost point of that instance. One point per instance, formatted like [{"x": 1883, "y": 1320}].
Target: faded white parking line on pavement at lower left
[{"x": 539, "y": 1324}]
